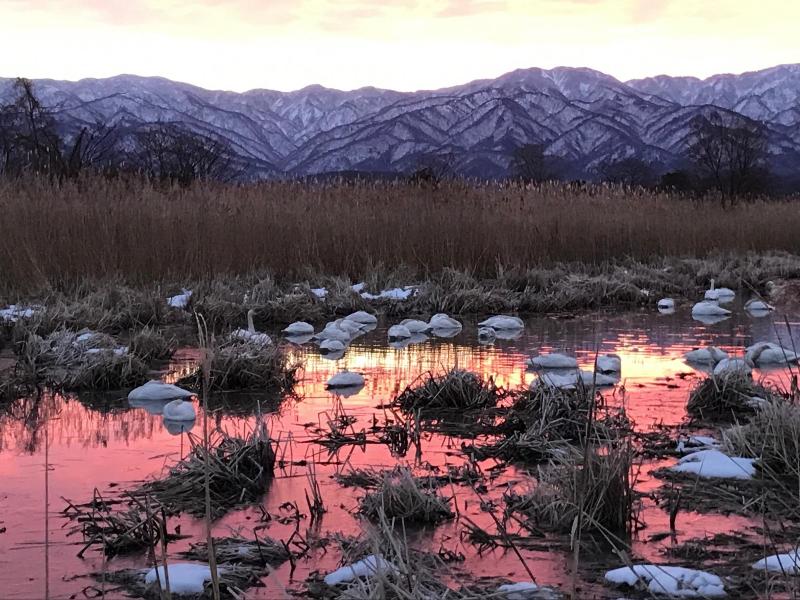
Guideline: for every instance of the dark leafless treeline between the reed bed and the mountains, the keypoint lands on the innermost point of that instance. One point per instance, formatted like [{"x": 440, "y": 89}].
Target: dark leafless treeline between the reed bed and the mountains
[{"x": 725, "y": 154}]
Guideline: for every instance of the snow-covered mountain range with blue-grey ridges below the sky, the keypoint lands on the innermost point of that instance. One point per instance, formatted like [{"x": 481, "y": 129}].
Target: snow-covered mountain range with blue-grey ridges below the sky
[{"x": 582, "y": 115}]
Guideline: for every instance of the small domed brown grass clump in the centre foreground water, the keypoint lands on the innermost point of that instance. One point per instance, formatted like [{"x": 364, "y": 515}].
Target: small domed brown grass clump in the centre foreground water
[{"x": 402, "y": 496}]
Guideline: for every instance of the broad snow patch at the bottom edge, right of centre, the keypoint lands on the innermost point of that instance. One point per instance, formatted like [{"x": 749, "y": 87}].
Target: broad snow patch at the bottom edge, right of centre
[{"x": 673, "y": 582}]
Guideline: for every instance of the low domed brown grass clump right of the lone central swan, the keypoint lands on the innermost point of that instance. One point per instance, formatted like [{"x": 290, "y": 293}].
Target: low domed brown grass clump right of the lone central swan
[{"x": 455, "y": 390}]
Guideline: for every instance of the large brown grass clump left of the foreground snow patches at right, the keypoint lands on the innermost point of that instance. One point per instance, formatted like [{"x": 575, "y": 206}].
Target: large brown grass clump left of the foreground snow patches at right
[{"x": 599, "y": 490}]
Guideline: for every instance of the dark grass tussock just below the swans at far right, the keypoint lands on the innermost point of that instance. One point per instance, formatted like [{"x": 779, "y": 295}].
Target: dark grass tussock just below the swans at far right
[{"x": 725, "y": 398}]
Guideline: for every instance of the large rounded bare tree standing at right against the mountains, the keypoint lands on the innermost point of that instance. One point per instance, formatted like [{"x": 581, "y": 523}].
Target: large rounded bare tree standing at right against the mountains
[{"x": 729, "y": 152}]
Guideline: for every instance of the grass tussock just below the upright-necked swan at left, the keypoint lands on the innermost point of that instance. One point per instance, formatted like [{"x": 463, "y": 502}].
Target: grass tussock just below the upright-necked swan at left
[{"x": 243, "y": 366}]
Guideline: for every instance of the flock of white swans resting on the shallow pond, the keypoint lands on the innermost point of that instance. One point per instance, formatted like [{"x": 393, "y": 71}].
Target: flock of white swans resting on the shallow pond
[{"x": 553, "y": 370}]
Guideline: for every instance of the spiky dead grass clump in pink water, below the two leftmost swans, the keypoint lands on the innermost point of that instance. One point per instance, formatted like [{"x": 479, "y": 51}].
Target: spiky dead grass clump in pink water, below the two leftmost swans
[{"x": 239, "y": 471}]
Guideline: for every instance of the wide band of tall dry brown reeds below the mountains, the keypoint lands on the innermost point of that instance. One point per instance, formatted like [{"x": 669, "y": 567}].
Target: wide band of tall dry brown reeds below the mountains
[{"x": 55, "y": 236}]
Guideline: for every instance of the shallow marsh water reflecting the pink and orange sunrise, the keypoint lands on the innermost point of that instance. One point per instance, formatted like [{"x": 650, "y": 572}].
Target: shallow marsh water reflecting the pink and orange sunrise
[{"x": 99, "y": 441}]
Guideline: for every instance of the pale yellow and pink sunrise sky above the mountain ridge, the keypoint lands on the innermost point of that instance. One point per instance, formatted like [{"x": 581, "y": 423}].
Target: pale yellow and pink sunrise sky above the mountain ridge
[{"x": 397, "y": 44}]
